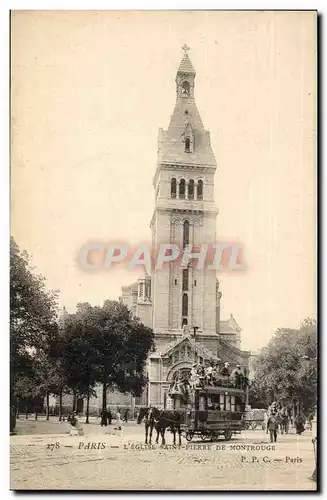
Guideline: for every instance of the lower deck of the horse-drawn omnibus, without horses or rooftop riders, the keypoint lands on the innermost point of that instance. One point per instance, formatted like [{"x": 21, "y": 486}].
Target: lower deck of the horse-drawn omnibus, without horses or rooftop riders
[{"x": 211, "y": 411}]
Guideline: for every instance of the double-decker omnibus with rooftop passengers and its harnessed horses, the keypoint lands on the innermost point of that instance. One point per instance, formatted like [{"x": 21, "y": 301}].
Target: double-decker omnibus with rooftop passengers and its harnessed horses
[{"x": 208, "y": 406}]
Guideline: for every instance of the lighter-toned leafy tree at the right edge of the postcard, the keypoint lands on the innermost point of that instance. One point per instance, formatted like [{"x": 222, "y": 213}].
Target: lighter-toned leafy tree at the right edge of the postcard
[{"x": 286, "y": 368}]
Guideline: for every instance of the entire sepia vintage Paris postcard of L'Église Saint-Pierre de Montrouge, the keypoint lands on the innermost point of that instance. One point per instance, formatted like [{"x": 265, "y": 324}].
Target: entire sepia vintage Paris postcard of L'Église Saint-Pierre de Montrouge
[{"x": 163, "y": 274}]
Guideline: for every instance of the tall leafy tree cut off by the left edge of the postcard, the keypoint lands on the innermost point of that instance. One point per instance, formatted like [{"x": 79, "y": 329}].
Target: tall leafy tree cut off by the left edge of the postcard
[{"x": 33, "y": 322}]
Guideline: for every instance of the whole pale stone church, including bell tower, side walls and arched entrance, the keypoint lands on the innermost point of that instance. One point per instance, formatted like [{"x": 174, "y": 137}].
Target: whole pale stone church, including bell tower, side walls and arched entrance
[{"x": 182, "y": 303}]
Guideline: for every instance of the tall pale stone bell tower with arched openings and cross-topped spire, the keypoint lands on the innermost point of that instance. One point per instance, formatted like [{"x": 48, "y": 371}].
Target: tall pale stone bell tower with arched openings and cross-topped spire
[{"x": 185, "y": 214}]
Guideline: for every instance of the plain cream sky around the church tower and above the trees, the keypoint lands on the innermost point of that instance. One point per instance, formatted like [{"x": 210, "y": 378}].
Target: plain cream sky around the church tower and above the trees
[{"x": 89, "y": 93}]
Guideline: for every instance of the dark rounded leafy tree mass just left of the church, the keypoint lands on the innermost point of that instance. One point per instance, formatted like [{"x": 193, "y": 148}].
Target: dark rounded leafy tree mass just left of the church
[{"x": 110, "y": 345}]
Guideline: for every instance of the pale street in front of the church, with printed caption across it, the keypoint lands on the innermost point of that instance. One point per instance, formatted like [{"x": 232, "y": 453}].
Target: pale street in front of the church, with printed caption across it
[{"x": 44, "y": 456}]
